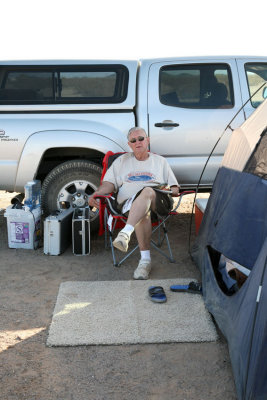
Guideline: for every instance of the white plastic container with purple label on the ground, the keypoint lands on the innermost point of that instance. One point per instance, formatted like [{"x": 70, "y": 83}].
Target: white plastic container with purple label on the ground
[{"x": 23, "y": 227}]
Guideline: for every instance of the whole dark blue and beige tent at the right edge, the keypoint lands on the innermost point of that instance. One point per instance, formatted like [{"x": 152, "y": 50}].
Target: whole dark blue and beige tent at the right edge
[{"x": 234, "y": 226}]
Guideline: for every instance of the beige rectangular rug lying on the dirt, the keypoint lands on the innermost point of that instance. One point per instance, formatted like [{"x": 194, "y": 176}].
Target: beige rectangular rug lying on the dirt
[{"x": 120, "y": 312}]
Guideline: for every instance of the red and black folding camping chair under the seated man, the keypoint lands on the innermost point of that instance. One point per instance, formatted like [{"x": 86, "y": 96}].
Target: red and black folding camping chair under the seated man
[{"x": 111, "y": 219}]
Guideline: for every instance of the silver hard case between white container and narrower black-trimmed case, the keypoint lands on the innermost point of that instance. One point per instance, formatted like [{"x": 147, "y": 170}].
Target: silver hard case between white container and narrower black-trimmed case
[{"x": 57, "y": 232}]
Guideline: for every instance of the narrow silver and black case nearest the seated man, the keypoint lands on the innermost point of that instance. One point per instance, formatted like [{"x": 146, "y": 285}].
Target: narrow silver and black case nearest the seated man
[{"x": 81, "y": 231}]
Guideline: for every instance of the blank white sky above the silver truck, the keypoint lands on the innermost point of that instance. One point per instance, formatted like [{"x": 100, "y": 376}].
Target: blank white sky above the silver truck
[{"x": 123, "y": 29}]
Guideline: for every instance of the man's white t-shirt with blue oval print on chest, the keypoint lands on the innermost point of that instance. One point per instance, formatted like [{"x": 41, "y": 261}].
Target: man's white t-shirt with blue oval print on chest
[{"x": 129, "y": 175}]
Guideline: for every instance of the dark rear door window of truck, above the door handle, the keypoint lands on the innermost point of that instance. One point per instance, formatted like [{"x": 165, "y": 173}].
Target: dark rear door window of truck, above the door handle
[{"x": 196, "y": 86}]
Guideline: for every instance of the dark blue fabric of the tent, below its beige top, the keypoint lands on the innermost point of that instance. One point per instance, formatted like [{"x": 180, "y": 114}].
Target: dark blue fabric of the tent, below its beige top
[{"x": 233, "y": 225}]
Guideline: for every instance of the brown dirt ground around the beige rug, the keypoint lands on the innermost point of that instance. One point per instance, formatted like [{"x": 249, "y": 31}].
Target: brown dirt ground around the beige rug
[{"x": 29, "y": 283}]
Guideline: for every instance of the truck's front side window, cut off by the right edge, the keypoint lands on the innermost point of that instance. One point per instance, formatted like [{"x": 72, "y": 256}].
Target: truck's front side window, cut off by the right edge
[{"x": 256, "y": 76}]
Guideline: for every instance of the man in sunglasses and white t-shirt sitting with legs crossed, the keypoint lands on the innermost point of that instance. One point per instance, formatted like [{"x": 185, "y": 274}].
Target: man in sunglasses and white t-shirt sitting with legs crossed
[{"x": 132, "y": 176}]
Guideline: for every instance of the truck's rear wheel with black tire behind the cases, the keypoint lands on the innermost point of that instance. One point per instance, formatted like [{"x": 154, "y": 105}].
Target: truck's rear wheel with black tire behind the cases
[{"x": 69, "y": 185}]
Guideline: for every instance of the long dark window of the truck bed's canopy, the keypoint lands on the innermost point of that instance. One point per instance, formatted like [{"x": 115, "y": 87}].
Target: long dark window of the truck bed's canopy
[{"x": 78, "y": 84}]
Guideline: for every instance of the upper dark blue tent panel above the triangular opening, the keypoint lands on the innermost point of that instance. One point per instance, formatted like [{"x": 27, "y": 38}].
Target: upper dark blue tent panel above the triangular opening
[{"x": 236, "y": 220}]
